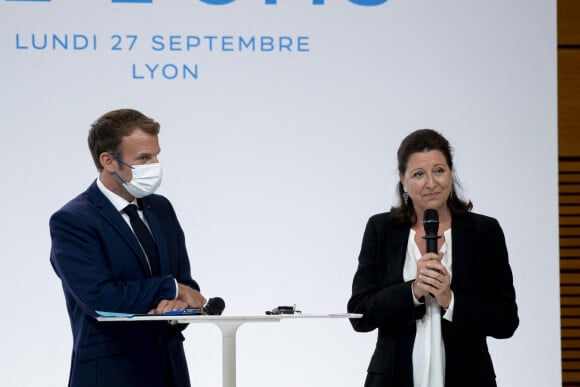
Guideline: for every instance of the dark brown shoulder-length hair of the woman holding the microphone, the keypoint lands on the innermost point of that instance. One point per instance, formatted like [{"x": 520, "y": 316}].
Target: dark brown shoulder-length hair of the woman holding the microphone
[{"x": 424, "y": 140}]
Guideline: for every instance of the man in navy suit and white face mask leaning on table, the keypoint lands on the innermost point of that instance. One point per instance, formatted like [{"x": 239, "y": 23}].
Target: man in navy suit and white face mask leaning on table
[{"x": 110, "y": 261}]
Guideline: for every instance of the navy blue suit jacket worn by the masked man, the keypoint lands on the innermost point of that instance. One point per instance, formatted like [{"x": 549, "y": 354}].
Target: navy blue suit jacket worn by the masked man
[{"x": 103, "y": 268}]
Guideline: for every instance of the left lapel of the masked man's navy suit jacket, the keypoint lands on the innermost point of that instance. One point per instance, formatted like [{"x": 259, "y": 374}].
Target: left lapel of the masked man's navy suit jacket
[{"x": 114, "y": 218}]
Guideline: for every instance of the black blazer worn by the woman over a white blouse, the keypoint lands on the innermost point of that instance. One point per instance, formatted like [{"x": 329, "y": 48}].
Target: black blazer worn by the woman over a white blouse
[{"x": 482, "y": 285}]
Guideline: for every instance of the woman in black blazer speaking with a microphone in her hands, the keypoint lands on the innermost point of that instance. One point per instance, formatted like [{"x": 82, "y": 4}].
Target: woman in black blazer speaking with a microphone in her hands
[{"x": 433, "y": 311}]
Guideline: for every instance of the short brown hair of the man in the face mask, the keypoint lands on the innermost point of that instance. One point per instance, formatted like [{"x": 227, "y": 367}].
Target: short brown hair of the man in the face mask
[{"x": 107, "y": 131}]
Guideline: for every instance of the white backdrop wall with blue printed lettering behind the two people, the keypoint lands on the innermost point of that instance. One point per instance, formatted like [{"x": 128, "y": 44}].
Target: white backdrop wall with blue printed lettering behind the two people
[{"x": 275, "y": 160}]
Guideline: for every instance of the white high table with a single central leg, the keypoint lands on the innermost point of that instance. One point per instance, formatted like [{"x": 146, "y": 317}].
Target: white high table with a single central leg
[{"x": 229, "y": 325}]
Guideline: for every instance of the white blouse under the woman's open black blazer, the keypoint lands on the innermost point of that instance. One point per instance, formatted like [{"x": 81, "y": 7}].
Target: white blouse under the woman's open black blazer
[{"x": 428, "y": 350}]
